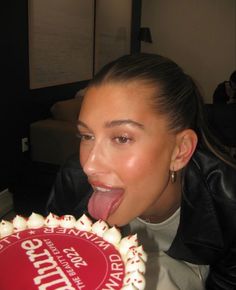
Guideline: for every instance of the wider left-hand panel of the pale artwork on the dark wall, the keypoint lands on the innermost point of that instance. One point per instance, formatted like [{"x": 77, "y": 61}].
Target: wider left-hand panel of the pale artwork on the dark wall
[{"x": 60, "y": 41}]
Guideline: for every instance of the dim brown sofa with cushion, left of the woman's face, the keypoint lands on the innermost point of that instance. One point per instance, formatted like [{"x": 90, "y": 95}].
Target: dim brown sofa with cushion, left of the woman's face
[{"x": 53, "y": 140}]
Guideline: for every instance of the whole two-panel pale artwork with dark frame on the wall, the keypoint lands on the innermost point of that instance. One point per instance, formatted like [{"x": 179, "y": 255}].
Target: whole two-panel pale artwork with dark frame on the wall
[{"x": 70, "y": 40}]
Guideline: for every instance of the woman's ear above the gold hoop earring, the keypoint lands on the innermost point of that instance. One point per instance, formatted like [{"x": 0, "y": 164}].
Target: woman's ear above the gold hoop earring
[{"x": 186, "y": 142}]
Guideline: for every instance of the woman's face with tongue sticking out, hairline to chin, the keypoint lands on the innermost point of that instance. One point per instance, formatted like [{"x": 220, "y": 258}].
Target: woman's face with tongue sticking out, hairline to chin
[{"x": 125, "y": 151}]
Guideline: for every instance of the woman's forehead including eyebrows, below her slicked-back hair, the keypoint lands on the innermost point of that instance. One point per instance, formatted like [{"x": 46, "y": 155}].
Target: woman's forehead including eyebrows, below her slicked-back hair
[{"x": 115, "y": 103}]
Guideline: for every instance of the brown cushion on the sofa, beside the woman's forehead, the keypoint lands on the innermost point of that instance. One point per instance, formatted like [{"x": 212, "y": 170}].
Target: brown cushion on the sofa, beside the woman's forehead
[{"x": 66, "y": 110}]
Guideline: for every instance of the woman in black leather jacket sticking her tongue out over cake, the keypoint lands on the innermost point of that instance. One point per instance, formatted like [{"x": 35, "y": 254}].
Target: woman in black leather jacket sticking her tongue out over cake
[{"x": 152, "y": 165}]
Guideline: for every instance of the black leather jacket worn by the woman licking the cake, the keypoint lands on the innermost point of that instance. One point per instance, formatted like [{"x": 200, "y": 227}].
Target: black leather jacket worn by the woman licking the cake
[{"x": 207, "y": 229}]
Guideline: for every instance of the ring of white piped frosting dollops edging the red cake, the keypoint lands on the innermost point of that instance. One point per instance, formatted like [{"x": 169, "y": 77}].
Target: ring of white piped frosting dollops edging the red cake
[{"x": 132, "y": 254}]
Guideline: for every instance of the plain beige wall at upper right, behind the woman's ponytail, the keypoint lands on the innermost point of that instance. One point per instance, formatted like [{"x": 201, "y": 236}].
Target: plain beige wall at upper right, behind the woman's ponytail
[{"x": 200, "y": 35}]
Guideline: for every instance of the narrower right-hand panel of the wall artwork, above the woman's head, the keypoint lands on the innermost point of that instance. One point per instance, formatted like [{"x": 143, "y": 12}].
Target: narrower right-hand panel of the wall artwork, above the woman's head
[{"x": 112, "y": 30}]
